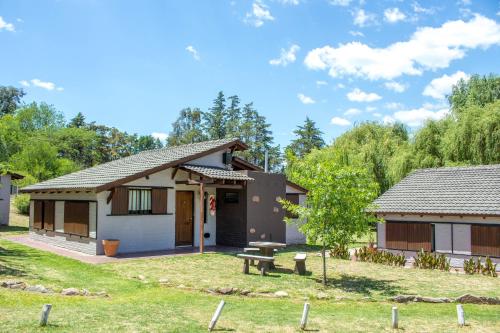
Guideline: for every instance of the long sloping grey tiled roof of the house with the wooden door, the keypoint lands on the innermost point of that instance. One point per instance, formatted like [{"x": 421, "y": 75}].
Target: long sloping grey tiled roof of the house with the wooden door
[{"x": 124, "y": 170}]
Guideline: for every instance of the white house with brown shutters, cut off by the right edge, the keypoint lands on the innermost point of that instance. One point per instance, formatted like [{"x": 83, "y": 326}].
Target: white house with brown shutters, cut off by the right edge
[{"x": 452, "y": 210}]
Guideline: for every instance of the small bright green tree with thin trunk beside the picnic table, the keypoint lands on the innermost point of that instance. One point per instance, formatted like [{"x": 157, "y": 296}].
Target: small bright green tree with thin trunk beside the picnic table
[{"x": 336, "y": 204}]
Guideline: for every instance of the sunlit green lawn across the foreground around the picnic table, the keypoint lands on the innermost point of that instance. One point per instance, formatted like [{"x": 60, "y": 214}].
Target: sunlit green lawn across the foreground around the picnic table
[{"x": 358, "y": 292}]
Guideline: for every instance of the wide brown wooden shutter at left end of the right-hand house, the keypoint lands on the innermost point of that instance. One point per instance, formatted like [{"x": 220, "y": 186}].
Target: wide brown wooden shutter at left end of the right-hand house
[{"x": 408, "y": 236}]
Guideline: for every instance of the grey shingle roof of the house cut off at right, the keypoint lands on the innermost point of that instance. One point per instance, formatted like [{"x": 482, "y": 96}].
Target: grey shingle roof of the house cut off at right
[{"x": 455, "y": 190}]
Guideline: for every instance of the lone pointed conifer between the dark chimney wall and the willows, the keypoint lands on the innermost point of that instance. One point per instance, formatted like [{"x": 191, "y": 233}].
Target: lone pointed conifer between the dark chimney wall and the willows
[{"x": 308, "y": 137}]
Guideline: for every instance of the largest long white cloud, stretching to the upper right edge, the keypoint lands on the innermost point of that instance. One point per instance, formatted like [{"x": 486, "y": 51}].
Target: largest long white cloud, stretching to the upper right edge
[{"x": 428, "y": 49}]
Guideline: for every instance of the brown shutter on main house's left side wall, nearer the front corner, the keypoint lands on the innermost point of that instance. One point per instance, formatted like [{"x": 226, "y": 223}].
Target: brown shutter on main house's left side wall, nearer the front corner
[{"x": 76, "y": 218}]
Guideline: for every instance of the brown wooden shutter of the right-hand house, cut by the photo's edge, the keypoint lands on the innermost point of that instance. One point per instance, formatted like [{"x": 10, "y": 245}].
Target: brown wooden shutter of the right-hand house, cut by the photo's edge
[{"x": 485, "y": 240}]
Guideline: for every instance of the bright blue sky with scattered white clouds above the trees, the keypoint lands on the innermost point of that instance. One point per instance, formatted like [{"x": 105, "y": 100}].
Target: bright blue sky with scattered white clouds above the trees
[{"x": 134, "y": 65}]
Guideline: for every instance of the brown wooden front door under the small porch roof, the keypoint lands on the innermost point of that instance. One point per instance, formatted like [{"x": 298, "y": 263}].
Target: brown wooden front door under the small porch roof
[{"x": 184, "y": 218}]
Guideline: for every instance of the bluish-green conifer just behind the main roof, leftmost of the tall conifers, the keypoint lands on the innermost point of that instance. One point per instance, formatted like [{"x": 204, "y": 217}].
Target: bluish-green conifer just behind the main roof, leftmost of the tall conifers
[{"x": 187, "y": 128}]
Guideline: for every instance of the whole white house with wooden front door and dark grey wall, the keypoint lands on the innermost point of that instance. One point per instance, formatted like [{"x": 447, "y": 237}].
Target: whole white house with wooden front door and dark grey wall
[{"x": 191, "y": 195}]
